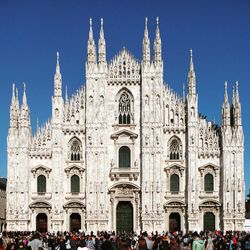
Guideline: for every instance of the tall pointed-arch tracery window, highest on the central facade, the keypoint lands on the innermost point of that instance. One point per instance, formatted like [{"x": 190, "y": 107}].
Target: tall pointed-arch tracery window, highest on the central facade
[{"x": 125, "y": 114}]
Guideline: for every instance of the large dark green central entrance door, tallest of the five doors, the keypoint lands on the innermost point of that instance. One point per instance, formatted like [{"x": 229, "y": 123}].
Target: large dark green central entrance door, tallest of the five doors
[{"x": 124, "y": 217}]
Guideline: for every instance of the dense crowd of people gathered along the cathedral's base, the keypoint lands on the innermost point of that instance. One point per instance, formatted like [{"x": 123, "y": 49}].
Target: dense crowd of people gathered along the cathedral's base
[{"x": 110, "y": 241}]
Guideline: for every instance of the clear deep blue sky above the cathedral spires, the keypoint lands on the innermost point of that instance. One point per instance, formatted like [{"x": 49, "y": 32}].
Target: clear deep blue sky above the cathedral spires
[{"x": 32, "y": 31}]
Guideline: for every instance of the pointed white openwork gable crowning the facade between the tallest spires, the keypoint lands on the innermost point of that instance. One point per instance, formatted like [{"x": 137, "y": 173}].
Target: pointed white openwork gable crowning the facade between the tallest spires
[{"x": 124, "y": 68}]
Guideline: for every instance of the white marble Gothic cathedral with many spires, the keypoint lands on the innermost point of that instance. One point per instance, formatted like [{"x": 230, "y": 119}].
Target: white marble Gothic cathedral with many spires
[{"x": 126, "y": 152}]
